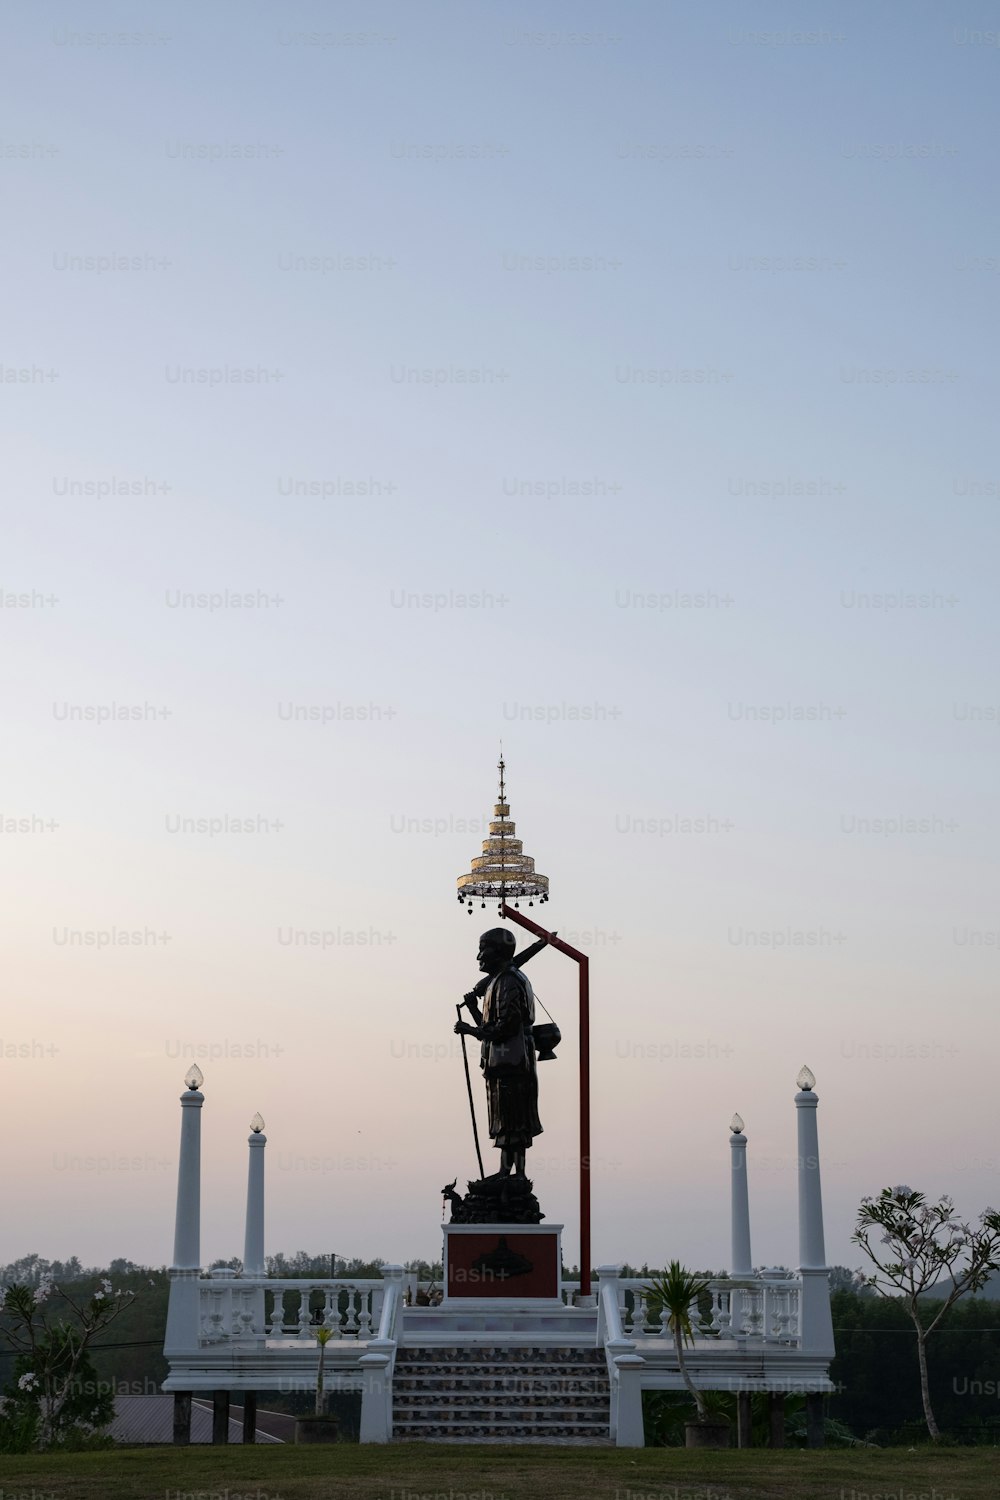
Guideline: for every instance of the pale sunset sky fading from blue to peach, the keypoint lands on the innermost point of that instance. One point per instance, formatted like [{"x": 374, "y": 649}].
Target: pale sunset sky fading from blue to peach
[{"x": 621, "y": 388}]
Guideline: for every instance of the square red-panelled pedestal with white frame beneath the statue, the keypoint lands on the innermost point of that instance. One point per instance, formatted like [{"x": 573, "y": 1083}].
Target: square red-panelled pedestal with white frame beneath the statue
[{"x": 503, "y": 1262}]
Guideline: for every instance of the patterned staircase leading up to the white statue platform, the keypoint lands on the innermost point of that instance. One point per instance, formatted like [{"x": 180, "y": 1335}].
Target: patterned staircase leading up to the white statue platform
[{"x": 501, "y": 1394}]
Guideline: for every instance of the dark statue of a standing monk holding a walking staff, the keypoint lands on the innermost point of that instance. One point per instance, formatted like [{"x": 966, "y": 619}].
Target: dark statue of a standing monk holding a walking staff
[{"x": 509, "y": 1051}]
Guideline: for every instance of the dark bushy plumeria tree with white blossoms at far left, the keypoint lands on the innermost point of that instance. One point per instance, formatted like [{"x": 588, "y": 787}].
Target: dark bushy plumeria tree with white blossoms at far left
[{"x": 52, "y": 1333}]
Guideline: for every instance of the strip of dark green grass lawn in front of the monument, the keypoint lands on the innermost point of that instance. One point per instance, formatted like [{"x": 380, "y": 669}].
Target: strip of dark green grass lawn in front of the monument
[{"x": 424, "y": 1472}]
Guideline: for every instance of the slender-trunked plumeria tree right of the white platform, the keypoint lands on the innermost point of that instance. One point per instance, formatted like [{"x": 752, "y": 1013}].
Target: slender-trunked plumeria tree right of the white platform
[{"x": 918, "y": 1244}]
